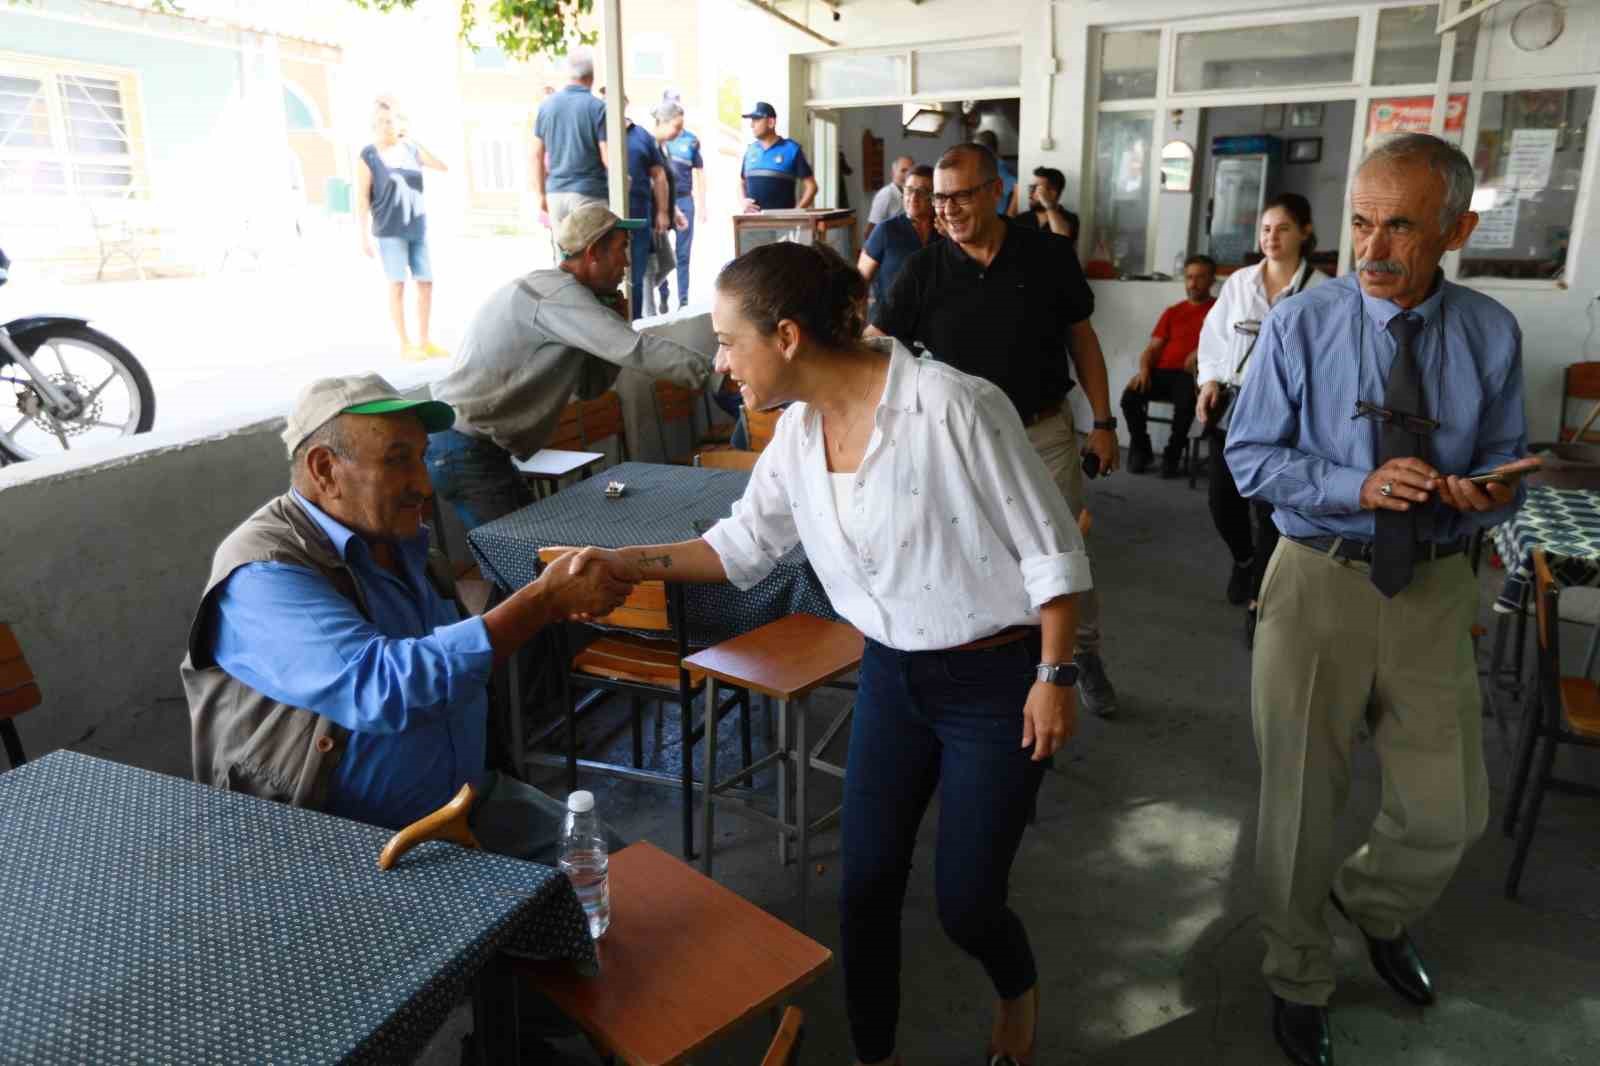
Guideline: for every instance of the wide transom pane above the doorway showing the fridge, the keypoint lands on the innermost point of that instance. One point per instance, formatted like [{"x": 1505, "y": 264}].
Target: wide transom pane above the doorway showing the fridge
[{"x": 1268, "y": 57}]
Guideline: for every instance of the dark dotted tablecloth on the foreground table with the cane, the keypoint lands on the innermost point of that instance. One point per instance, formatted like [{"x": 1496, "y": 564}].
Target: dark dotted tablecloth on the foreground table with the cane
[{"x": 150, "y": 920}]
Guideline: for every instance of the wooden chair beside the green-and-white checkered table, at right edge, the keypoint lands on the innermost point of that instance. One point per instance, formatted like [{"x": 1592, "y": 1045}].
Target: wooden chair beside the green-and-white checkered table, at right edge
[{"x": 1561, "y": 711}]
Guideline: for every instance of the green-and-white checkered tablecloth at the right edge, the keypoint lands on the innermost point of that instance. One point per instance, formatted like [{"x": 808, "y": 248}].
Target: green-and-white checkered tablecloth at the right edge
[{"x": 1566, "y": 523}]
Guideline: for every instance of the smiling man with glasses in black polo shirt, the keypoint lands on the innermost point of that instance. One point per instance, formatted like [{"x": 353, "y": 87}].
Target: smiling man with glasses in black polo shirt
[{"x": 1010, "y": 305}]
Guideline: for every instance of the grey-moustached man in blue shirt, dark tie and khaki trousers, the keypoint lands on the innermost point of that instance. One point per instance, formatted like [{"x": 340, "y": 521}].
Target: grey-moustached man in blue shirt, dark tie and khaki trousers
[{"x": 1369, "y": 403}]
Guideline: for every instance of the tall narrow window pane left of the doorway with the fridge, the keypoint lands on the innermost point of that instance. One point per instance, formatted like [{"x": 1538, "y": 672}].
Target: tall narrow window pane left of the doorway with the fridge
[{"x": 1122, "y": 191}]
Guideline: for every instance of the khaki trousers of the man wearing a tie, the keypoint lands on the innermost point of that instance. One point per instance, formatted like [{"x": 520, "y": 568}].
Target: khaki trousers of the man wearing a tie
[{"x": 1329, "y": 647}]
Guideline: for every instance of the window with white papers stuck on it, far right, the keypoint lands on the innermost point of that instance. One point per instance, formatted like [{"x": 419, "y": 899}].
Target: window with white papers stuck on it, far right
[{"x": 1529, "y": 162}]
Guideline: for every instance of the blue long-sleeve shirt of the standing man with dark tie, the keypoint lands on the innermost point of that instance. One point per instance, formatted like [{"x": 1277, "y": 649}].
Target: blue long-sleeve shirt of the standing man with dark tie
[{"x": 1295, "y": 439}]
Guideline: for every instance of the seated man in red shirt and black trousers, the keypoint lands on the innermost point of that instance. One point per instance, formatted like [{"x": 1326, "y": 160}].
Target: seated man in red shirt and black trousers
[{"x": 1167, "y": 372}]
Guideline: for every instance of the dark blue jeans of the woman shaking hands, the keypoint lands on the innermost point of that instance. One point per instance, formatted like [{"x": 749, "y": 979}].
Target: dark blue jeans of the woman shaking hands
[{"x": 948, "y": 721}]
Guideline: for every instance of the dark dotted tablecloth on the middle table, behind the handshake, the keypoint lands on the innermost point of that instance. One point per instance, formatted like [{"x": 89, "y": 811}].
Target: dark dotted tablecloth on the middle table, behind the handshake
[{"x": 662, "y": 507}]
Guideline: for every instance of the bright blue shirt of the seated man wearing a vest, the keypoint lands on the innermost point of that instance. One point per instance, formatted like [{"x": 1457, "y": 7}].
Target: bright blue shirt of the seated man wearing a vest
[{"x": 410, "y": 684}]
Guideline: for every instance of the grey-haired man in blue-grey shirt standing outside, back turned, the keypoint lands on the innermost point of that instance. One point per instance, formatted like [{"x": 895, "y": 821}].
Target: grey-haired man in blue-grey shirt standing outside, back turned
[{"x": 570, "y": 159}]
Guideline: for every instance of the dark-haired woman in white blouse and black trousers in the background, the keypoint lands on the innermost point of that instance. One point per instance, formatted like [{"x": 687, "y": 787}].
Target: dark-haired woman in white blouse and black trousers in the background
[{"x": 1226, "y": 342}]
